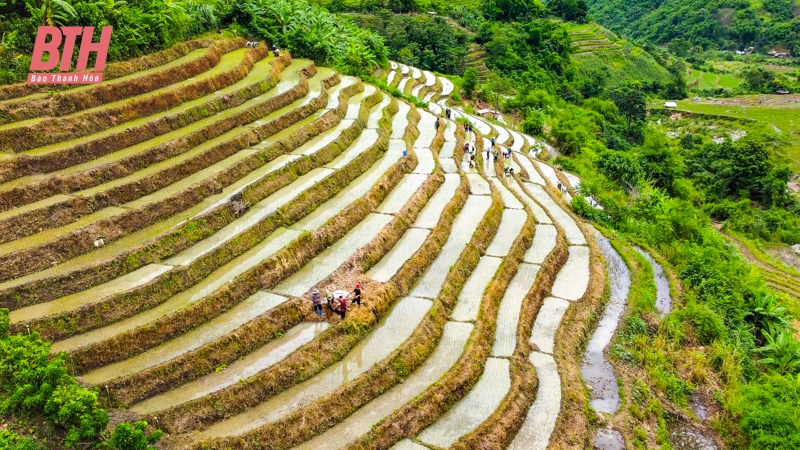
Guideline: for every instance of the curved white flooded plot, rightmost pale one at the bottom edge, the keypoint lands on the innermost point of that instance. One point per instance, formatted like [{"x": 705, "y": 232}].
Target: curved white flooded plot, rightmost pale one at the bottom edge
[{"x": 541, "y": 418}]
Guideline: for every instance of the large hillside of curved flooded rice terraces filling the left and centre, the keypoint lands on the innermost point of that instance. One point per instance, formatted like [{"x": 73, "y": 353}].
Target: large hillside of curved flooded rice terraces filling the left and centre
[{"x": 172, "y": 253}]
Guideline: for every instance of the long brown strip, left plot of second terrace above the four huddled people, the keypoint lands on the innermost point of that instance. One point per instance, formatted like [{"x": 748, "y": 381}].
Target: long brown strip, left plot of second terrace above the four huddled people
[{"x": 217, "y": 279}]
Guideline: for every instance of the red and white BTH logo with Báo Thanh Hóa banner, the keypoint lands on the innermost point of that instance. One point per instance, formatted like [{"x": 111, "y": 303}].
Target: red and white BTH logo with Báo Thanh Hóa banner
[{"x": 68, "y": 35}]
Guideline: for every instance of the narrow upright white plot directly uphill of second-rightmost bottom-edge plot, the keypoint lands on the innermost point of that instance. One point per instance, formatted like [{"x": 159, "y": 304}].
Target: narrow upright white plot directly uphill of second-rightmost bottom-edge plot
[{"x": 505, "y": 337}]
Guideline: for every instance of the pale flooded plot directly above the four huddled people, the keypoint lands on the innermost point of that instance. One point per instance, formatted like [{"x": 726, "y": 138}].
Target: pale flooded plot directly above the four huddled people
[{"x": 334, "y": 256}]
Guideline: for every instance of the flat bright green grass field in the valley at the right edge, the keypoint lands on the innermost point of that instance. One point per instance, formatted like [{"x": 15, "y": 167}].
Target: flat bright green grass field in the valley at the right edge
[{"x": 786, "y": 119}]
